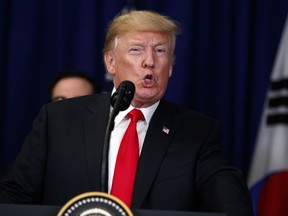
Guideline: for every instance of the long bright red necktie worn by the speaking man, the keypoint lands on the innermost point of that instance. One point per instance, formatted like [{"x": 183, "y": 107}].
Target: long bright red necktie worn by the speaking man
[{"x": 127, "y": 161}]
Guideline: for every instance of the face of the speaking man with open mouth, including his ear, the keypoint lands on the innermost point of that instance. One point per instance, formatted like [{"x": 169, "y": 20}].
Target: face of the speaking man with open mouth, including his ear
[{"x": 145, "y": 59}]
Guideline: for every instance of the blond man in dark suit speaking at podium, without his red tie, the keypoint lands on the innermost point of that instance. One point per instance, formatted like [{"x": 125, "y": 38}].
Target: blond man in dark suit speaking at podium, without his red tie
[{"x": 181, "y": 164}]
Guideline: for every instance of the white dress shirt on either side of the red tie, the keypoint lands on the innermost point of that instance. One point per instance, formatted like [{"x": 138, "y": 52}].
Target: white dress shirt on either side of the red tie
[{"x": 120, "y": 126}]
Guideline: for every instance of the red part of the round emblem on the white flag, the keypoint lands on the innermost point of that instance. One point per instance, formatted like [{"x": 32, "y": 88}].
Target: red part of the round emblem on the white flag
[{"x": 274, "y": 195}]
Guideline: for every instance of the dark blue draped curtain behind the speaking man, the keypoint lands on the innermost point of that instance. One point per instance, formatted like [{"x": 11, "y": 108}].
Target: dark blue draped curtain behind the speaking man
[{"x": 224, "y": 59}]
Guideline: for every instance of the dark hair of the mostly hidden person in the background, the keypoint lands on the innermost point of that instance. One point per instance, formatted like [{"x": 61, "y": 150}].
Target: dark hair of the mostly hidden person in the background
[{"x": 75, "y": 73}]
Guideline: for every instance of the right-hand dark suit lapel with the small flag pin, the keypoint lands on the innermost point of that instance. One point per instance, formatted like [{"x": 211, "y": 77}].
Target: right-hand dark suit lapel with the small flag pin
[{"x": 157, "y": 141}]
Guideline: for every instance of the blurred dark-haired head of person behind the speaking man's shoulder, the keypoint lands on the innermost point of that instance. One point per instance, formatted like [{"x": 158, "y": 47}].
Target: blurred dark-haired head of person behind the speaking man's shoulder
[{"x": 72, "y": 83}]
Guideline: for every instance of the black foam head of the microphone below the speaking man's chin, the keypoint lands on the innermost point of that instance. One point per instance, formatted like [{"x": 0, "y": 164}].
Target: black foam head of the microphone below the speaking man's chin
[{"x": 125, "y": 93}]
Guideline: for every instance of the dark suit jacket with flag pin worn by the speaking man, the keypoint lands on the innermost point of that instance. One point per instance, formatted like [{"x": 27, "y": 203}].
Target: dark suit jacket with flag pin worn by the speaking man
[{"x": 182, "y": 169}]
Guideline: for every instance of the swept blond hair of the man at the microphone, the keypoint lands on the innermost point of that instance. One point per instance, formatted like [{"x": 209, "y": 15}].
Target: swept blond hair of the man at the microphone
[{"x": 143, "y": 20}]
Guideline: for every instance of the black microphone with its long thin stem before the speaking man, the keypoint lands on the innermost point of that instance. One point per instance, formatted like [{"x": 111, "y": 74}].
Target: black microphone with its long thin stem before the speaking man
[{"x": 120, "y": 101}]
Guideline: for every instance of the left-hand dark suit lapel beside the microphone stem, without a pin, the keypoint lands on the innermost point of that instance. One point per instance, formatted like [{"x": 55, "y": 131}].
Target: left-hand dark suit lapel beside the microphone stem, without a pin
[{"x": 95, "y": 125}]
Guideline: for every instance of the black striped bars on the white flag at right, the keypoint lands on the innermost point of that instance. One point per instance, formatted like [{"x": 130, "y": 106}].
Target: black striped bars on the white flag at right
[{"x": 278, "y": 103}]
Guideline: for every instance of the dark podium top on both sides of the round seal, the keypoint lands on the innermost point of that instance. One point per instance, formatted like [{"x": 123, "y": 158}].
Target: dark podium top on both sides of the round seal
[{"x": 44, "y": 210}]
